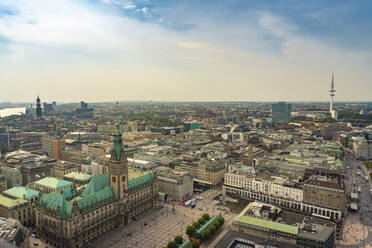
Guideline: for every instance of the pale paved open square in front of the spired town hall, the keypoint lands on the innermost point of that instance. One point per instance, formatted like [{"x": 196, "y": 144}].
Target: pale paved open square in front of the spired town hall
[{"x": 157, "y": 227}]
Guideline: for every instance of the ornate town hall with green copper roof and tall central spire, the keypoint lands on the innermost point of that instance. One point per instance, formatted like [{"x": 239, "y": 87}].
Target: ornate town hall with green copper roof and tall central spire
[{"x": 68, "y": 218}]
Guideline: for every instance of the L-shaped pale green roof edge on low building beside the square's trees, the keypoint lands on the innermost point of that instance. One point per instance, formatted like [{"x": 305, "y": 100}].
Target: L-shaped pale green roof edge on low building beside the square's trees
[{"x": 272, "y": 225}]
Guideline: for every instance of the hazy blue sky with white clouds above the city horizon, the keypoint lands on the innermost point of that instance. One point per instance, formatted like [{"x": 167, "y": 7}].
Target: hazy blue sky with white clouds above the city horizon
[{"x": 206, "y": 50}]
